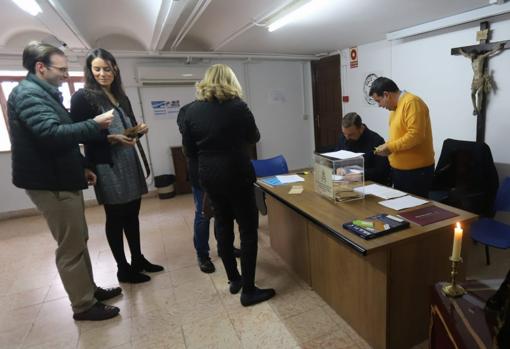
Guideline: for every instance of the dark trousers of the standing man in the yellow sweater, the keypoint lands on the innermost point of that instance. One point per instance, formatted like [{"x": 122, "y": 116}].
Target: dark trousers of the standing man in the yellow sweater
[{"x": 417, "y": 181}]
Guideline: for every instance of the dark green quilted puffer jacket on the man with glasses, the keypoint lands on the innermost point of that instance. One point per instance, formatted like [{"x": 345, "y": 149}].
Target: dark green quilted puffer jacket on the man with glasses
[{"x": 45, "y": 142}]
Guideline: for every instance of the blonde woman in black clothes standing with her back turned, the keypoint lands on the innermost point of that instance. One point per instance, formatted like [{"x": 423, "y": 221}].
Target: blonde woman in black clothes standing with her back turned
[{"x": 217, "y": 131}]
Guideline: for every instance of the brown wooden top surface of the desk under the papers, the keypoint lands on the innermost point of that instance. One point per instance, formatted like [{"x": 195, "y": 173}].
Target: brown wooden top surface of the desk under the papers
[{"x": 331, "y": 215}]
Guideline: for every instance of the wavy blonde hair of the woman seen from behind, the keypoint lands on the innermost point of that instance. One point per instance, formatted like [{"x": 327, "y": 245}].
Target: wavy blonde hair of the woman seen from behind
[{"x": 219, "y": 83}]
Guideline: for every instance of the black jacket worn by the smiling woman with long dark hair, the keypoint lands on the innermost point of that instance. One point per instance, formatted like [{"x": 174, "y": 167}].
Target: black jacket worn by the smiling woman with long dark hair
[{"x": 85, "y": 105}]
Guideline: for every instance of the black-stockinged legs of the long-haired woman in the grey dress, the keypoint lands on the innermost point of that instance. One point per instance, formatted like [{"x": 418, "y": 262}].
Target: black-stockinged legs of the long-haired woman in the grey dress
[{"x": 123, "y": 219}]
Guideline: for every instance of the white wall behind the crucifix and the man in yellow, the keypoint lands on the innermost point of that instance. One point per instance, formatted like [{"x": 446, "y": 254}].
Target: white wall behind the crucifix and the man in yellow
[{"x": 424, "y": 66}]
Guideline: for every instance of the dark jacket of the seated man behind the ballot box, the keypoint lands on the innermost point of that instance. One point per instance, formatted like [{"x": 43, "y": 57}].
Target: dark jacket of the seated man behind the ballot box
[{"x": 377, "y": 168}]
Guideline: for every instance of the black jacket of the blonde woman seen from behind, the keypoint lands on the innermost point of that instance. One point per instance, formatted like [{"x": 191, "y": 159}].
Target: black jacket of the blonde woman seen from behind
[{"x": 216, "y": 137}]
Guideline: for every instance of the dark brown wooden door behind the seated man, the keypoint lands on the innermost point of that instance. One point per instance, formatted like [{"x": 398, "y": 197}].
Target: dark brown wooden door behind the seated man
[{"x": 327, "y": 102}]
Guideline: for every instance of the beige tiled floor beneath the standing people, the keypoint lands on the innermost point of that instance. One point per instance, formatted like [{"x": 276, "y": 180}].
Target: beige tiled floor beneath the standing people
[{"x": 180, "y": 308}]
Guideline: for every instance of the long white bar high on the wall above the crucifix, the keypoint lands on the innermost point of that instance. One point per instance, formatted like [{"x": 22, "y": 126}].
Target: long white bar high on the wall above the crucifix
[{"x": 466, "y": 17}]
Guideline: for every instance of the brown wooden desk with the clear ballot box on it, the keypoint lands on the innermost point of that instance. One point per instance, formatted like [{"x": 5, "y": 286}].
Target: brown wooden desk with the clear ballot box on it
[{"x": 380, "y": 286}]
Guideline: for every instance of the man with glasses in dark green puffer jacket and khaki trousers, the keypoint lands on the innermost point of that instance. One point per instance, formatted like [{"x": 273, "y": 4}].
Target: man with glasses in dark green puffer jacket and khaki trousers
[{"x": 47, "y": 163}]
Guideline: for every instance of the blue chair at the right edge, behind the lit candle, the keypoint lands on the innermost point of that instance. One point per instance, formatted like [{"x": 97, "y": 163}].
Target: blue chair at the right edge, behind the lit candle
[{"x": 491, "y": 232}]
